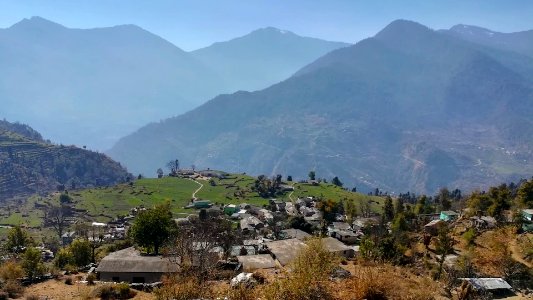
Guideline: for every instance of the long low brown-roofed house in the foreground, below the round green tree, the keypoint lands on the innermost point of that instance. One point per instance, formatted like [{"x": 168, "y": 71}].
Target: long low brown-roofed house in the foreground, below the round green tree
[{"x": 129, "y": 265}]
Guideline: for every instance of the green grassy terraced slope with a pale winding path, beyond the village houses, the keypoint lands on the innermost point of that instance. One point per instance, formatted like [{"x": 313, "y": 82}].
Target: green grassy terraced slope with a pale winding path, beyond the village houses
[{"x": 104, "y": 204}]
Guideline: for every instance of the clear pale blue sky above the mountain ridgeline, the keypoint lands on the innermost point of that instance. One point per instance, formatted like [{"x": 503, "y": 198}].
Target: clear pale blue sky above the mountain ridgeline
[{"x": 197, "y": 23}]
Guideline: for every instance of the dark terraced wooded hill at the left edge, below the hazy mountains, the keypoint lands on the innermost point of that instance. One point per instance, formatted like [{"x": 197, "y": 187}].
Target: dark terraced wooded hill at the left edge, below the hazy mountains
[{"x": 29, "y": 164}]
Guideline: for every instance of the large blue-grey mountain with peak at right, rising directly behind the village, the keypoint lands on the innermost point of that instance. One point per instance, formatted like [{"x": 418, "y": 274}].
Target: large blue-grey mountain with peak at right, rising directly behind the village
[{"x": 408, "y": 109}]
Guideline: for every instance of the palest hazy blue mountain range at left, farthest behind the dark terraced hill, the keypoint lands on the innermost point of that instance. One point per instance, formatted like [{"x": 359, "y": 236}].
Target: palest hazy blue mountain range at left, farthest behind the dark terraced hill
[{"x": 93, "y": 86}]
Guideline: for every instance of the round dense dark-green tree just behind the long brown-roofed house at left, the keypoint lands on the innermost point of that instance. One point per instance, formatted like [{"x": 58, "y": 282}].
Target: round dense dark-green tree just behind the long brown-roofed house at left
[{"x": 153, "y": 227}]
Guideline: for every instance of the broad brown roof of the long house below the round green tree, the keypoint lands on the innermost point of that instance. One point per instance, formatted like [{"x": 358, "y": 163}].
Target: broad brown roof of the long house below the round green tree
[{"x": 130, "y": 260}]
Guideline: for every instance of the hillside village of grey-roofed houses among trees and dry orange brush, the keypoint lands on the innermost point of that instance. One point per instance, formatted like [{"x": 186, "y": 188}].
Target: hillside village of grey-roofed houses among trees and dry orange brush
[{"x": 249, "y": 247}]
